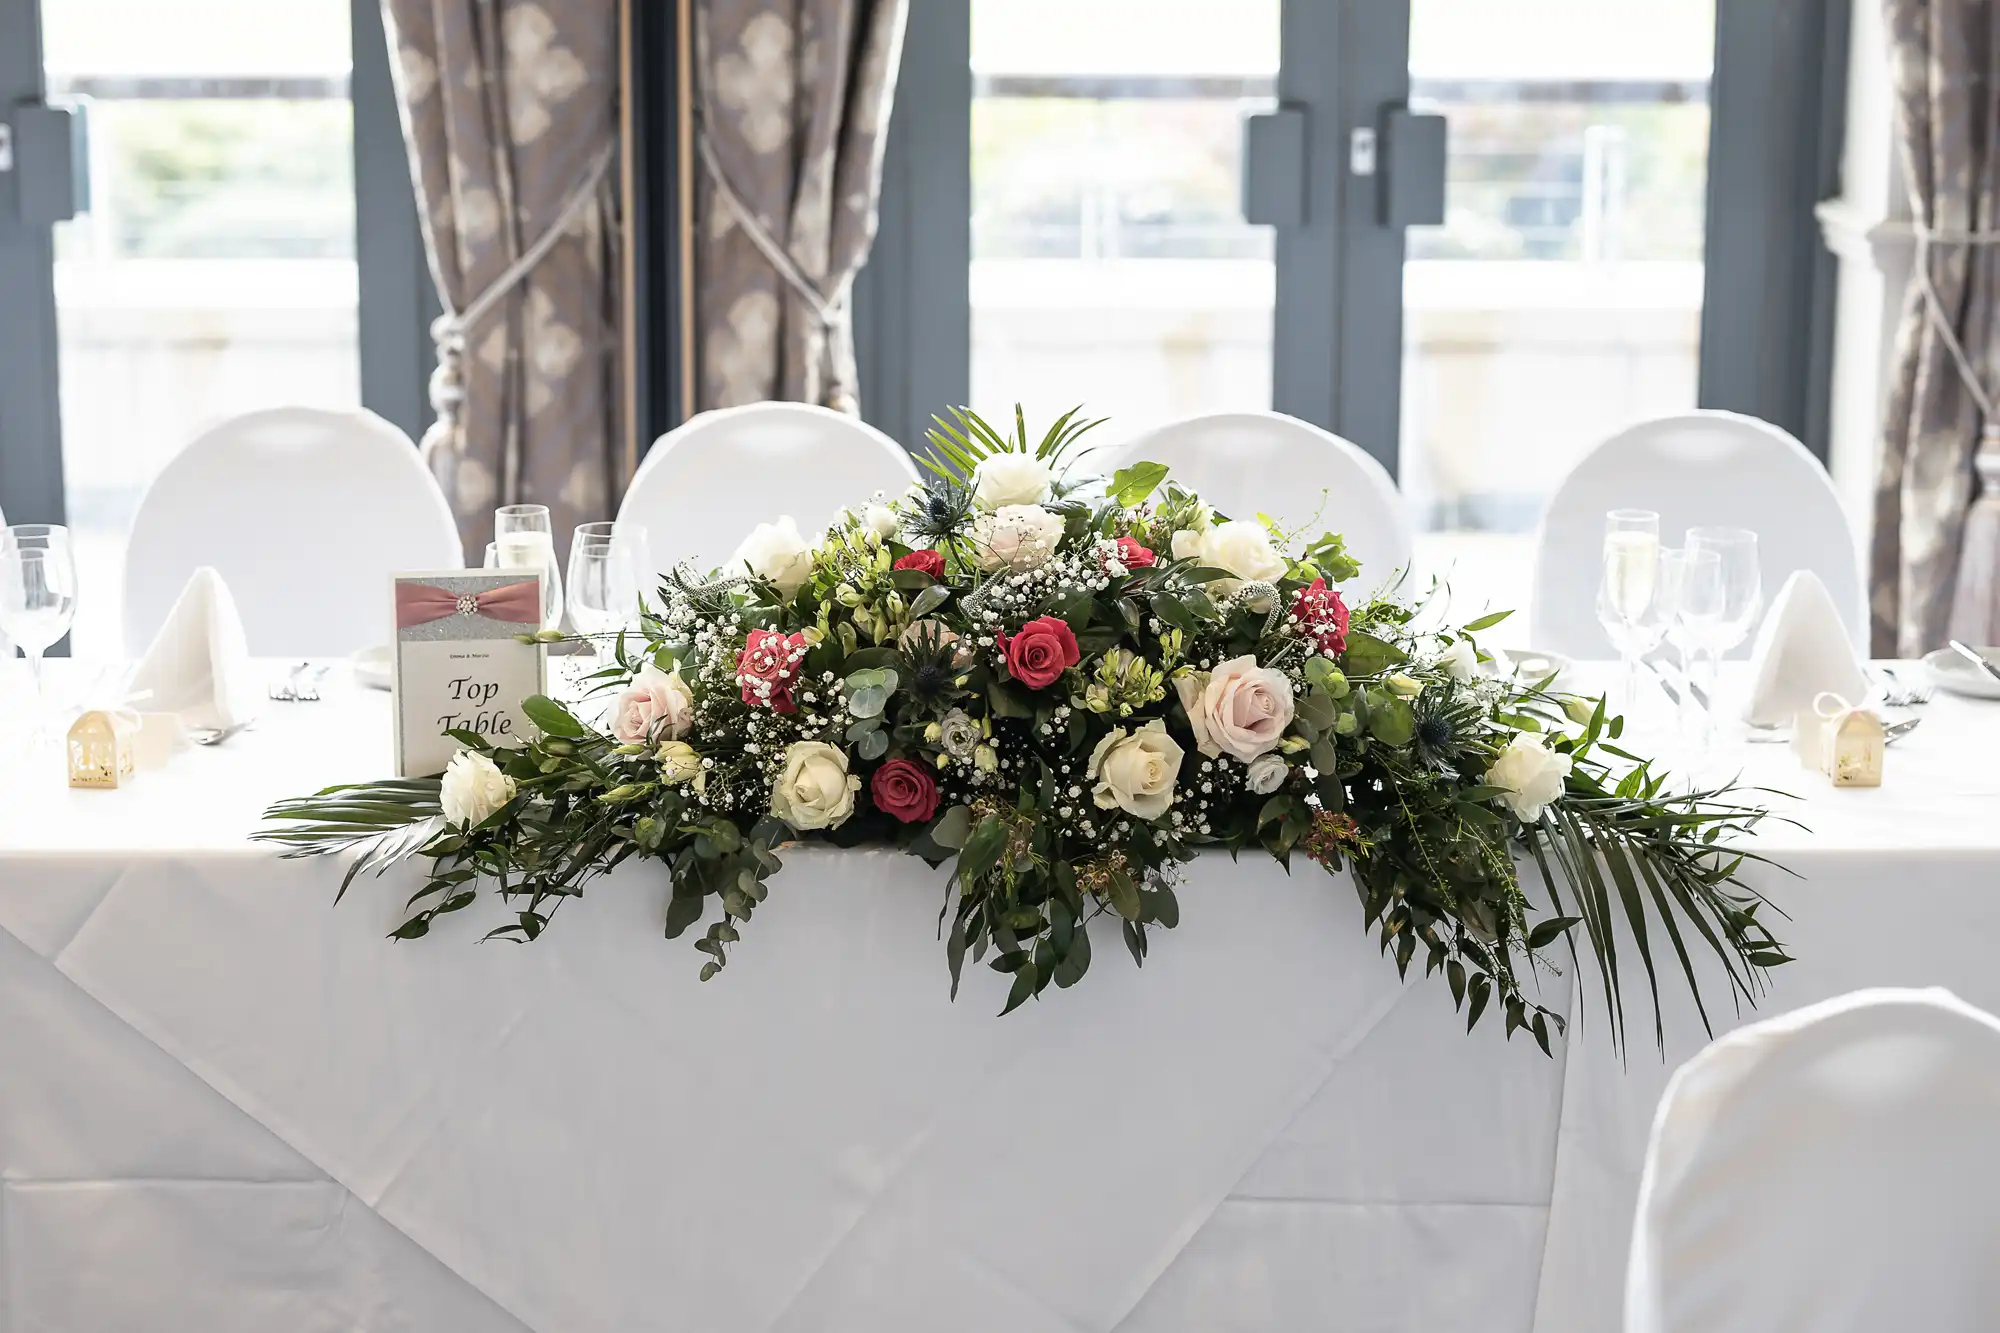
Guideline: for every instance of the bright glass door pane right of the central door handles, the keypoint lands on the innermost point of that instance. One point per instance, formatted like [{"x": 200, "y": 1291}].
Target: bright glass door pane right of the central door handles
[{"x": 1563, "y": 297}]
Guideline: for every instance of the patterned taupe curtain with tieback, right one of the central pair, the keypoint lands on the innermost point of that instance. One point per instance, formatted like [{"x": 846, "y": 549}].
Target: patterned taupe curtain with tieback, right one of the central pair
[{"x": 793, "y": 113}]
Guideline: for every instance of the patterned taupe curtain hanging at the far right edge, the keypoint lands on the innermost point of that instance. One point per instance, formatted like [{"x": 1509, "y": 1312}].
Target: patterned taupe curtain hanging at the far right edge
[{"x": 1937, "y": 555}]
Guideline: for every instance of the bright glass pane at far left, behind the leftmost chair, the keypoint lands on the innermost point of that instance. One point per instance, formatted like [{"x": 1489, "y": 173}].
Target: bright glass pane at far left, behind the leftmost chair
[{"x": 215, "y": 269}]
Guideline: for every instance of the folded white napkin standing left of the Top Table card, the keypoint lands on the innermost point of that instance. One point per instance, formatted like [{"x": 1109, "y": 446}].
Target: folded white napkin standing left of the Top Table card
[{"x": 199, "y": 665}]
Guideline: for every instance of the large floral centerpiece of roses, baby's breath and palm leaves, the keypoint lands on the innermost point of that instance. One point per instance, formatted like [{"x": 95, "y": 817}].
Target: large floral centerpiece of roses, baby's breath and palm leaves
[{"x": 1063, "y": 696}]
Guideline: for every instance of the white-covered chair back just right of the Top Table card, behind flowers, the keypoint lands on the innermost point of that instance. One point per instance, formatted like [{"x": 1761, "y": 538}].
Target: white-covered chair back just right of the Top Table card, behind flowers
[{"x": 707, "y": 483}]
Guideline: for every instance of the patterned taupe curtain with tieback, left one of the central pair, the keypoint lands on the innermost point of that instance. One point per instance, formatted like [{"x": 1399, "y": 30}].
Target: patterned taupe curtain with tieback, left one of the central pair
[{"x": 509, "y": 109}]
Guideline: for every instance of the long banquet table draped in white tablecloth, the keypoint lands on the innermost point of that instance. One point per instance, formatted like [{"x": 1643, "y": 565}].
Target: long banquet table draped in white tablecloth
[{"x": 227, "y": 1104}]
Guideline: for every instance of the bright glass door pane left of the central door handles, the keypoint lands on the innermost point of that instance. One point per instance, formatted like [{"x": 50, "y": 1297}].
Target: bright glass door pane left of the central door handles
[{"x": 1111, "y": 261}]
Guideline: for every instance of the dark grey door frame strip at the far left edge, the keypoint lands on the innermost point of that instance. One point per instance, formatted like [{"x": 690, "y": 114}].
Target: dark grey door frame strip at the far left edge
[{"x": 31, "y": 413}]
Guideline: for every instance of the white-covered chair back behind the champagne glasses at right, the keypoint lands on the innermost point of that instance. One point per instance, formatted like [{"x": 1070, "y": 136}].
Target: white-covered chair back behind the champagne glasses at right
[{"x": 1697, "y": 469}]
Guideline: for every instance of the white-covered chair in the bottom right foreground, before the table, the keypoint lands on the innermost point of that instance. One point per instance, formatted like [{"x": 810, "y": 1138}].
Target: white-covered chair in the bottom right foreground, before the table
[{"x": 1827, "y": 1172}]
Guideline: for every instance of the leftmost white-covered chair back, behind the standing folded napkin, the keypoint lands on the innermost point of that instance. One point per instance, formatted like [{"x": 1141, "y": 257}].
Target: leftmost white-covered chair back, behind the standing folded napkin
[{"x": 305, "y": 513}]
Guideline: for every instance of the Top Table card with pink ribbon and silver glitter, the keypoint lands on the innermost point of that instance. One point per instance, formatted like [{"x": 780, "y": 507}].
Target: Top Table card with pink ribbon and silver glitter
[{"x": 459, "y": 663}]
